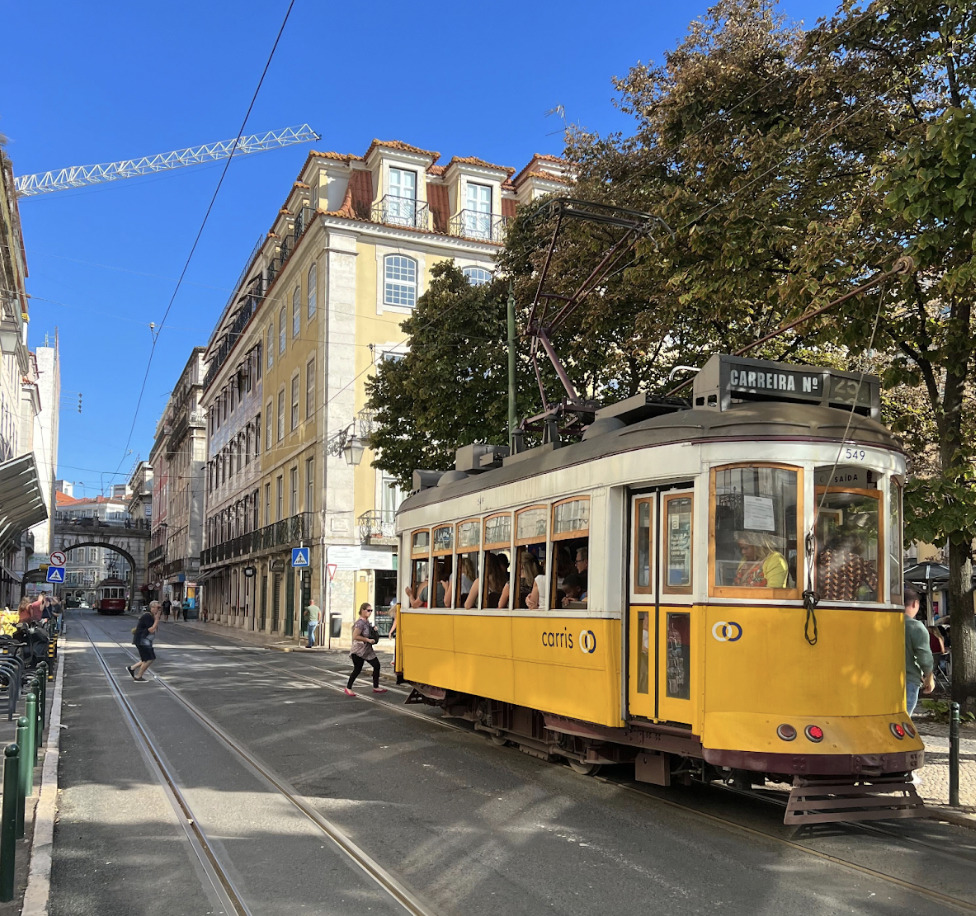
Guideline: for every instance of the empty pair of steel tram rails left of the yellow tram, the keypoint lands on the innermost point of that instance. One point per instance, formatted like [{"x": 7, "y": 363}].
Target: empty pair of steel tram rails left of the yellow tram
[{"x": 218, "y": 872}]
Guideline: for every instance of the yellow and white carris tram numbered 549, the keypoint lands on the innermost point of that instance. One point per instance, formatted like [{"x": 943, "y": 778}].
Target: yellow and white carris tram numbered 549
[{"x": 741, "y": 608}]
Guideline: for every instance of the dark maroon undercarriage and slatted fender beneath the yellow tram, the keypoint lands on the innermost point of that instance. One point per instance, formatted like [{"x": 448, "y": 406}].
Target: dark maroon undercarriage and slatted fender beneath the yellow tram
[{"x": 666, "y": 755}]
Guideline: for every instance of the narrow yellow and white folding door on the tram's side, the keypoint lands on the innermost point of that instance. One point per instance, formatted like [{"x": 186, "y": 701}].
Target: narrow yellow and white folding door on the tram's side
[{"x": 659, "y": 606}]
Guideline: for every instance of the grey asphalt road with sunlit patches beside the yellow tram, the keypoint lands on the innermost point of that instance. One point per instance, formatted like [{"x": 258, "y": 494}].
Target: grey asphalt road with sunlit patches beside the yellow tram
[{"x": 468, "y": 828}]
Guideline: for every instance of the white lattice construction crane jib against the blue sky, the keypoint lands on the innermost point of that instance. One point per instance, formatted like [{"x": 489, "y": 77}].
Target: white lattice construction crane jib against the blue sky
[{"x": 78, "y": 176}]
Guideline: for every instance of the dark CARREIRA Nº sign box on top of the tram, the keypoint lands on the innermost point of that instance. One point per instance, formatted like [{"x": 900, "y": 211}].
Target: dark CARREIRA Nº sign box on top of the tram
[{"x": 727, "y": 379}]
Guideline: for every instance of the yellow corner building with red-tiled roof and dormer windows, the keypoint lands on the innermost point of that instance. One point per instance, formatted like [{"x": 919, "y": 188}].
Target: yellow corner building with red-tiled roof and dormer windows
[{"x": 317, "y": 306}]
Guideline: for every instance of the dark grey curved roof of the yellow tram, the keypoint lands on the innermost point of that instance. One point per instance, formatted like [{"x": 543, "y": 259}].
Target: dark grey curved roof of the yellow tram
[{"x": 748, "y": 421}]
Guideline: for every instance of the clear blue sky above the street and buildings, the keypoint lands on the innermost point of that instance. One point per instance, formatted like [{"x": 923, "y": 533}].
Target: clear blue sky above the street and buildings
[{"x": 87, "y": 84}]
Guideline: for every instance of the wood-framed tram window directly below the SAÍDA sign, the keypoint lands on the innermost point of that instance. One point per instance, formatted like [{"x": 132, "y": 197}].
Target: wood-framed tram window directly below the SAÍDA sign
[{"x": 848, "y": 530}]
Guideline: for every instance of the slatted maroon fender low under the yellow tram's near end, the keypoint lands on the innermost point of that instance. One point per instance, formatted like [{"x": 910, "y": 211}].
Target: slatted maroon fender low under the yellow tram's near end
[{"x": 820, "y": 802}]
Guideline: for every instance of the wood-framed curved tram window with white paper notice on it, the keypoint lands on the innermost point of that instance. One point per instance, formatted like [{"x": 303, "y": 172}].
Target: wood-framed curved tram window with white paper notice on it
[{"x": 755, "y": 527}]
